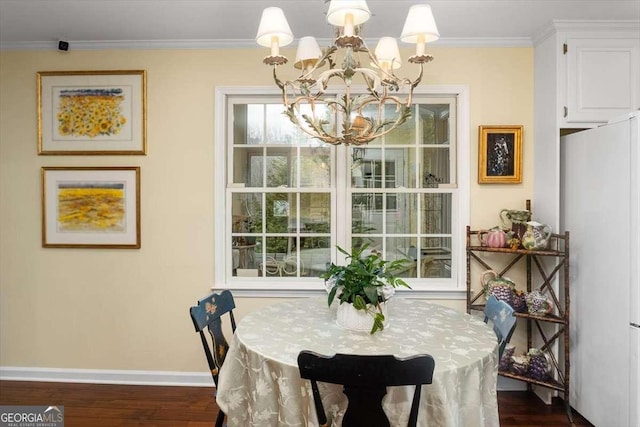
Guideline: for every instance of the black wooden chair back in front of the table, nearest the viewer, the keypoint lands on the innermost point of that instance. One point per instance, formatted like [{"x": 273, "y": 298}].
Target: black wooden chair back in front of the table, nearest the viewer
[{"x": 365, "y": 380}]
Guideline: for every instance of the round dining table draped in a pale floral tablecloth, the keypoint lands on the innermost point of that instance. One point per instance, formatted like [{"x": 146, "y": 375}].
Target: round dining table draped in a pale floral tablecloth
[{"x": 260, "y": 385}]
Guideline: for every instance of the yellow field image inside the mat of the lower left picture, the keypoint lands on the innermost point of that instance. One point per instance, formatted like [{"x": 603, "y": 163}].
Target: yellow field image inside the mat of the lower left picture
[{"x": 91, "y": 207}]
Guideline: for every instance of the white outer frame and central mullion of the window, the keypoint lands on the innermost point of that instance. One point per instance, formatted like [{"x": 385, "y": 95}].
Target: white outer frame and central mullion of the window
[{"x": 433, "y": 288}]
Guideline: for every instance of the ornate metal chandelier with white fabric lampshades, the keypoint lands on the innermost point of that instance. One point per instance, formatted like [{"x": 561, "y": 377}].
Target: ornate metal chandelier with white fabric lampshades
[{"x": 313, "y": 98}]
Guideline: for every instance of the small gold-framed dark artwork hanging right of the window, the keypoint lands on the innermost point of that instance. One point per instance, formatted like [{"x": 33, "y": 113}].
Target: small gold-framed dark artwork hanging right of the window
[{"x": 500, "y": 154}]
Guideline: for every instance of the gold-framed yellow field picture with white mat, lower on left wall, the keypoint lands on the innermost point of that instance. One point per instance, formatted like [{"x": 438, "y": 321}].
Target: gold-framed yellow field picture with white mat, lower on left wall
[{"x": 91, "y": 207}]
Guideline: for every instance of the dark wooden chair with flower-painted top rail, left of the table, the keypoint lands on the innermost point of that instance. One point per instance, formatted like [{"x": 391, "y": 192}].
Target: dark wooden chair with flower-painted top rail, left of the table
[{"x": 208, "y": 314}]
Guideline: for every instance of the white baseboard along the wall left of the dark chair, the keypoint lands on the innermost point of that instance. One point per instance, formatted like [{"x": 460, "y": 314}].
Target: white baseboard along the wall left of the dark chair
[{"x": 102, "y": 376}]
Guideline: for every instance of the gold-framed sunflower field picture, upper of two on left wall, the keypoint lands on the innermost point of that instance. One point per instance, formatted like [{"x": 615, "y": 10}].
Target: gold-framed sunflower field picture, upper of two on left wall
[{"x": 92, "y": 112}]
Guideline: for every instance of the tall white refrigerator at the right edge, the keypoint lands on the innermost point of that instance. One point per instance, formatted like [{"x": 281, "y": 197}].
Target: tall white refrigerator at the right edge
[{"x": 600, "y": 207}]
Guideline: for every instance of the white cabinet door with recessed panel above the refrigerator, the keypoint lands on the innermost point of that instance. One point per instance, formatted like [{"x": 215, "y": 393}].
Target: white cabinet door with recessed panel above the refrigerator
[{"x": 602, "y": 79}]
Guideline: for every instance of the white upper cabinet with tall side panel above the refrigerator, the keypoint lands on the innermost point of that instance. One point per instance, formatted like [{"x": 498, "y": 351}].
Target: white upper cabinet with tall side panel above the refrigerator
[{"x": 586, "y": 73}]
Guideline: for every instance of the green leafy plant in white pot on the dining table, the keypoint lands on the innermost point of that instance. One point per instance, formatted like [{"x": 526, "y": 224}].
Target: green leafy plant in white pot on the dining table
[{"x": 363, "y": 286}]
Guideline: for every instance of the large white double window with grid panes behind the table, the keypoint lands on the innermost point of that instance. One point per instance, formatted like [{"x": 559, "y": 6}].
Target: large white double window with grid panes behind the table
[{"x": 290, "y": 199}]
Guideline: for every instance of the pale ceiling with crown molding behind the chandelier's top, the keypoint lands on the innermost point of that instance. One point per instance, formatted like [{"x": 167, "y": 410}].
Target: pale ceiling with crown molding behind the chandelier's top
[{"x": 192, "y": 23}]
